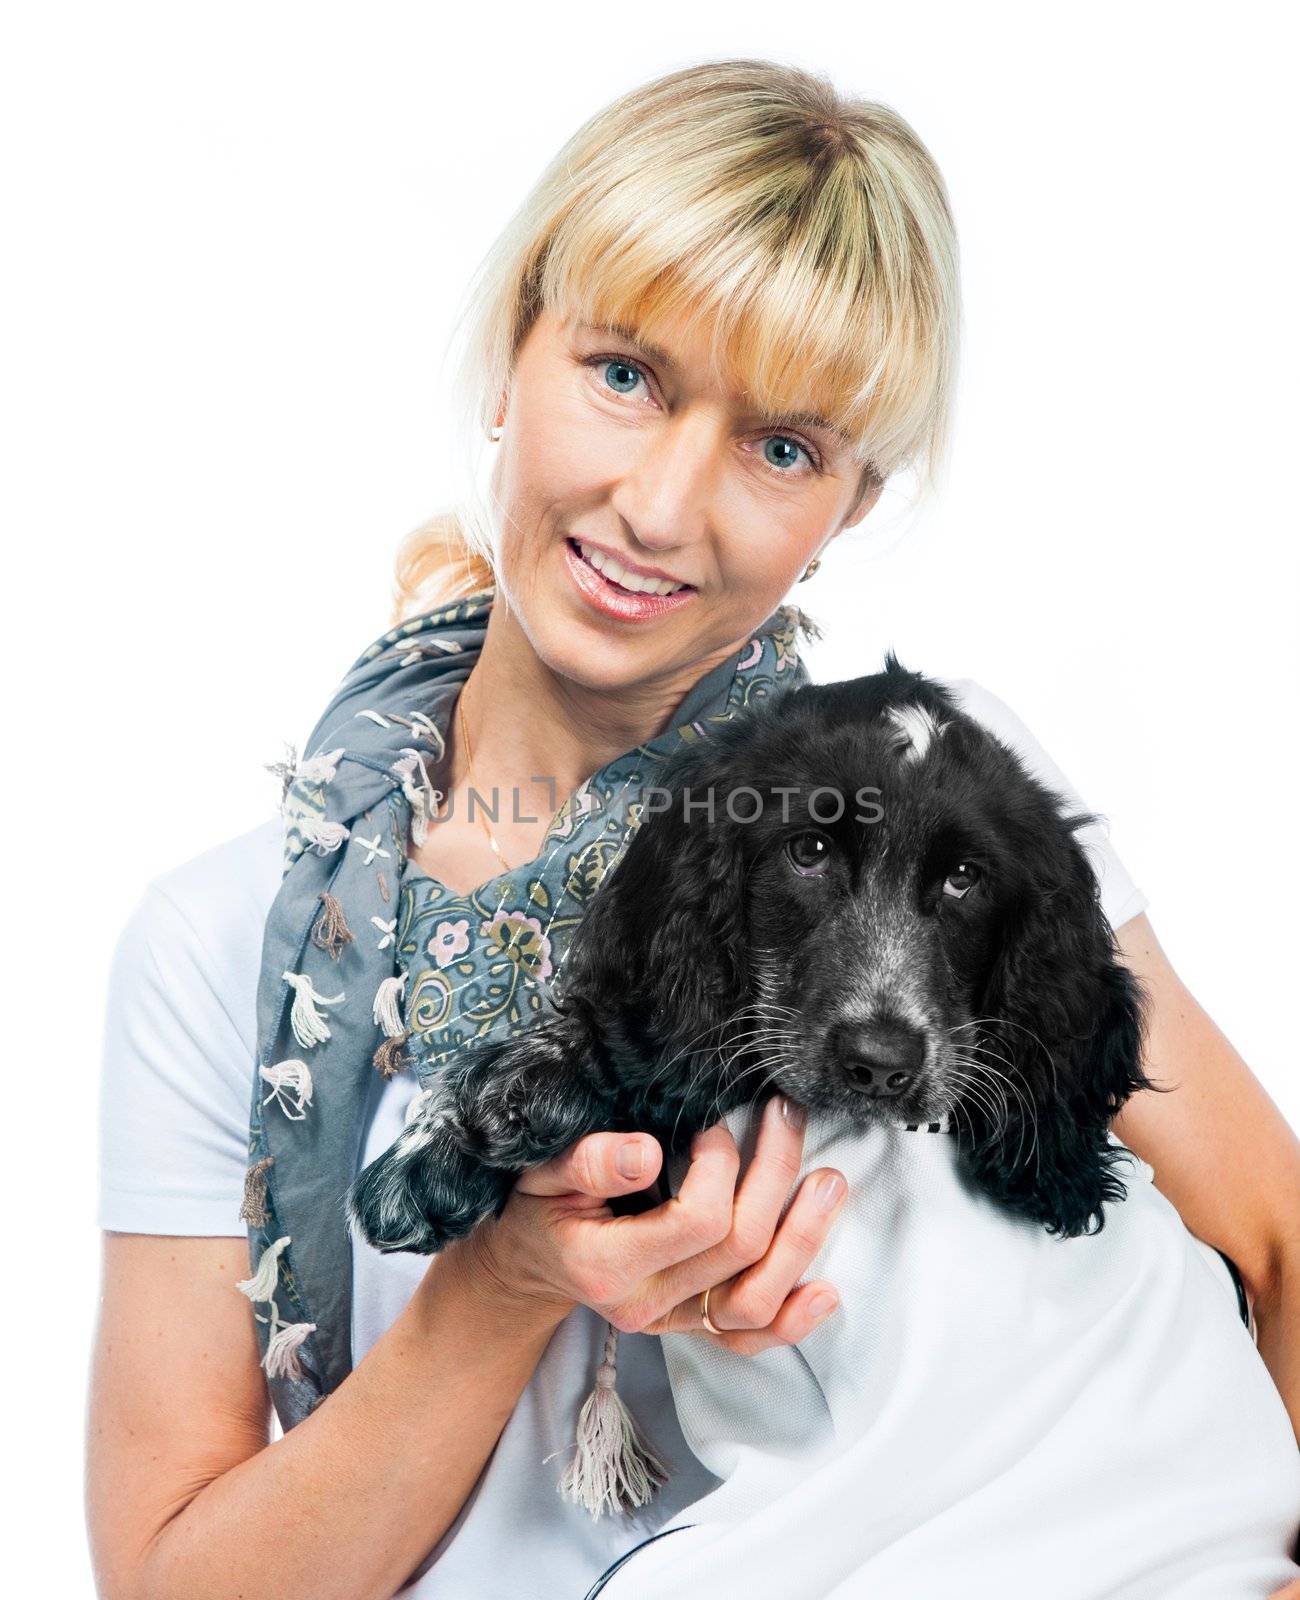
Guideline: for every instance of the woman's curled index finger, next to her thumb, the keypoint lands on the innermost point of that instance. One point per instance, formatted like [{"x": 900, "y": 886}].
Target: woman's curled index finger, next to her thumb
[{"x": 692, "y": 1220}]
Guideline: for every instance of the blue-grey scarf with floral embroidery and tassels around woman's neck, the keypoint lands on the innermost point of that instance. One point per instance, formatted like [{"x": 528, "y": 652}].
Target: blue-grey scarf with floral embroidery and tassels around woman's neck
[{"x": 371, "y": 967}]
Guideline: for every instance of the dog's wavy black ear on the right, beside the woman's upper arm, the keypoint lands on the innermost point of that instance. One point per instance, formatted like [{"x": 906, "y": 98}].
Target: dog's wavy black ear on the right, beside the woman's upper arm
[{"x": 1064, "y": 1023}]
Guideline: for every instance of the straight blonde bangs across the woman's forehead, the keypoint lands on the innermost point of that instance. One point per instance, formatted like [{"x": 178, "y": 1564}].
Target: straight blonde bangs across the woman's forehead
[{"x": 804, "y": 302}]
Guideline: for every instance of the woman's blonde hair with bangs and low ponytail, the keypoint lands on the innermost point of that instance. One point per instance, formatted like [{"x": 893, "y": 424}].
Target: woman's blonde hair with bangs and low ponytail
[{"x": 811, "y": 231}]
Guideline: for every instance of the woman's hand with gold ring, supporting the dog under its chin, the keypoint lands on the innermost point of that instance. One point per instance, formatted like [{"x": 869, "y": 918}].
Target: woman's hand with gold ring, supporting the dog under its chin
[{"x": 558, "y": 1244}]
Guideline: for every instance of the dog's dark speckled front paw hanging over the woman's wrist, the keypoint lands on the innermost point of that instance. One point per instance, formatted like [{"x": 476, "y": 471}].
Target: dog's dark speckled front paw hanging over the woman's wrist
[{"x": 423, "y": 1193}]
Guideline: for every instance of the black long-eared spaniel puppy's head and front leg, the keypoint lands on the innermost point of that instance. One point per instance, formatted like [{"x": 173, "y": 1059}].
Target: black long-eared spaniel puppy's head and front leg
[{"x": 710, "y": 972}]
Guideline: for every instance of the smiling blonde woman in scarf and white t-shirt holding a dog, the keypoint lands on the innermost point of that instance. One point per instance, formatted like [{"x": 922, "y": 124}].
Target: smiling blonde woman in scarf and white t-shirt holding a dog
[{"x": 723, "y": 321}]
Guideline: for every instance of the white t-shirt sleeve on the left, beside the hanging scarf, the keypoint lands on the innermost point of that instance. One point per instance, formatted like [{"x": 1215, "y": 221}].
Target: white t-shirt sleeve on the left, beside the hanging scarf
[{"x": 180, "y": 1047}]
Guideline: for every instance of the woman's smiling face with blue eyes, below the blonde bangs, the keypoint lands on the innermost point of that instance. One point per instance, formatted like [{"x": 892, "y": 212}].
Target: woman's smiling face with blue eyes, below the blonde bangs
[{"x": 640, "y": 455}]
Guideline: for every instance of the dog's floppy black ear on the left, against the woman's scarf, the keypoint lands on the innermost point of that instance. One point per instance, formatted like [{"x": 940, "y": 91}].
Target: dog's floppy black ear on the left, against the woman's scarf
[{"x": 668, "y": 930}]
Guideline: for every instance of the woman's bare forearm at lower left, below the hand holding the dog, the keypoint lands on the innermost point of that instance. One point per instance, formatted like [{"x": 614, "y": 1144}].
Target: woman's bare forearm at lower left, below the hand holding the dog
[{"x": 353, "y": 1498}]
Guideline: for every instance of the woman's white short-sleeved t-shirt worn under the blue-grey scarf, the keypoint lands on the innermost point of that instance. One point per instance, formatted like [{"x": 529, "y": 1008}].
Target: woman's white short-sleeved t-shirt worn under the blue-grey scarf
[{"x": 174, "y": 1127}]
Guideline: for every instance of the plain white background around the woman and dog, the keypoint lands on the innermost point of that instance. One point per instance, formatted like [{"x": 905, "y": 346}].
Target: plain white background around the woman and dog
[{"x": 235, "y": 242}]
